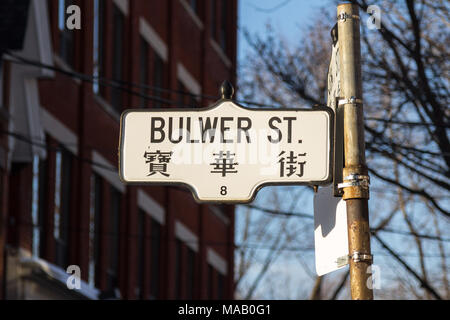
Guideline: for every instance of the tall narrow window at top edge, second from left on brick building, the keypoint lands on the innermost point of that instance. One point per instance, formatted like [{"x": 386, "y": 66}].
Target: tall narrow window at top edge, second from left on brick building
[{"x": 99, "y": 10}]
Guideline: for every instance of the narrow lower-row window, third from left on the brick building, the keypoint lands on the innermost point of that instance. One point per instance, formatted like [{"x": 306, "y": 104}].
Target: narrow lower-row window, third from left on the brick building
[{"x": 94, "y": 228}]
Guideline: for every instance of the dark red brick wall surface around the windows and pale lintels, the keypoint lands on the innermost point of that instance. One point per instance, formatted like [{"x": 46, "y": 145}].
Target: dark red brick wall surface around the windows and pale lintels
[{"x": 95, "y": 126}]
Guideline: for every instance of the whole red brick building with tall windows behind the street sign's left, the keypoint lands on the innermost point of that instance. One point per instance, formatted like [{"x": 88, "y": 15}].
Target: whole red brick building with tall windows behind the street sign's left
[{"x": 62, "y": 202}]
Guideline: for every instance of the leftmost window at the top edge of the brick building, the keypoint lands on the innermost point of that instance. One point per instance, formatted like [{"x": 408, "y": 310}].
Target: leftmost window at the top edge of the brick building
[{"x": 66, "y": 36}]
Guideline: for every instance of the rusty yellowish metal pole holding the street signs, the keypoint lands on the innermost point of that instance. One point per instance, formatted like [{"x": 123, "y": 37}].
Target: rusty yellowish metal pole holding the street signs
[{"x": 355, "y": 174}]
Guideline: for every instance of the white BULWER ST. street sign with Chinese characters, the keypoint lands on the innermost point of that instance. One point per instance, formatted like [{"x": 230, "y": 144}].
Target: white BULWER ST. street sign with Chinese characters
[{"x": 225, "y": 153}]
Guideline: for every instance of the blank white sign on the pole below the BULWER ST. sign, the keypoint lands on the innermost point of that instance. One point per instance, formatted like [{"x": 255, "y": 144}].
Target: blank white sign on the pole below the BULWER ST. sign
[{"x": 330, "y": 231}]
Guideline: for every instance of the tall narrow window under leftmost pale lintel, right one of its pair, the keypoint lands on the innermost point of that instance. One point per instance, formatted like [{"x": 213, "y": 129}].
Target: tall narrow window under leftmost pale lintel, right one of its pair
[{"x": 62, "y": 206}]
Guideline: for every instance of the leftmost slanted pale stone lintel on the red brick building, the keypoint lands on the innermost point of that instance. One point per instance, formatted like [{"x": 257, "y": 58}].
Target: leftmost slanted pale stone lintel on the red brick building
[{"x": 59, "y": 131}]
